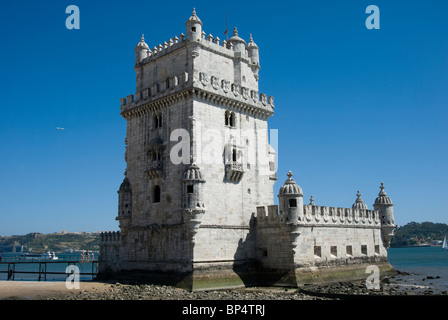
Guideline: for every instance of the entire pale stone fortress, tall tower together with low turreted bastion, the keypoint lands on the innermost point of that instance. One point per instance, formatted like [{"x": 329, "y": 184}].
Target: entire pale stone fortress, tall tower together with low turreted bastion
[{"x": 213, "y": 224}]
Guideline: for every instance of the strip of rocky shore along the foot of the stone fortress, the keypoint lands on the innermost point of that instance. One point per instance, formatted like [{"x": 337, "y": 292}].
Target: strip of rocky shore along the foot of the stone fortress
[{"x": 127, "y": 291}]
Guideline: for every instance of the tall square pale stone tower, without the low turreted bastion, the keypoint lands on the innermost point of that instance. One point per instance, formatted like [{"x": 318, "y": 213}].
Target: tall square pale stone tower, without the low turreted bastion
[{"x": 198, "y": 159}]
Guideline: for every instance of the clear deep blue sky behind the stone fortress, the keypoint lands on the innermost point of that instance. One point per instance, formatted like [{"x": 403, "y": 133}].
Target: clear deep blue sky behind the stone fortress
[{"x": 354, "y": 107}]
